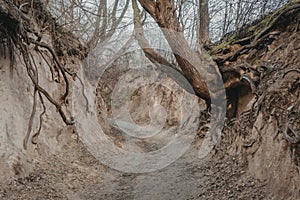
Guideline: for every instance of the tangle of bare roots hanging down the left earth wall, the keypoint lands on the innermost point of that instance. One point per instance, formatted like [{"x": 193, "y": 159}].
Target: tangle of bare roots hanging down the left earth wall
[{"x": 17, "y": 35}]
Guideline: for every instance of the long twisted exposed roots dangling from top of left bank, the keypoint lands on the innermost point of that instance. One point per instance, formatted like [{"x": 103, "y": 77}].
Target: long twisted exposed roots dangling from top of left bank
[{"x": 16, "y": 28}]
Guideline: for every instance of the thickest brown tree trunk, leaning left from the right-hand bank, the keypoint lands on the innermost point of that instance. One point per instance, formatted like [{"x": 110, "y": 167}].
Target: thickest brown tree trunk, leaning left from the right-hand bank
[{"x": 202, "y": 72}]
